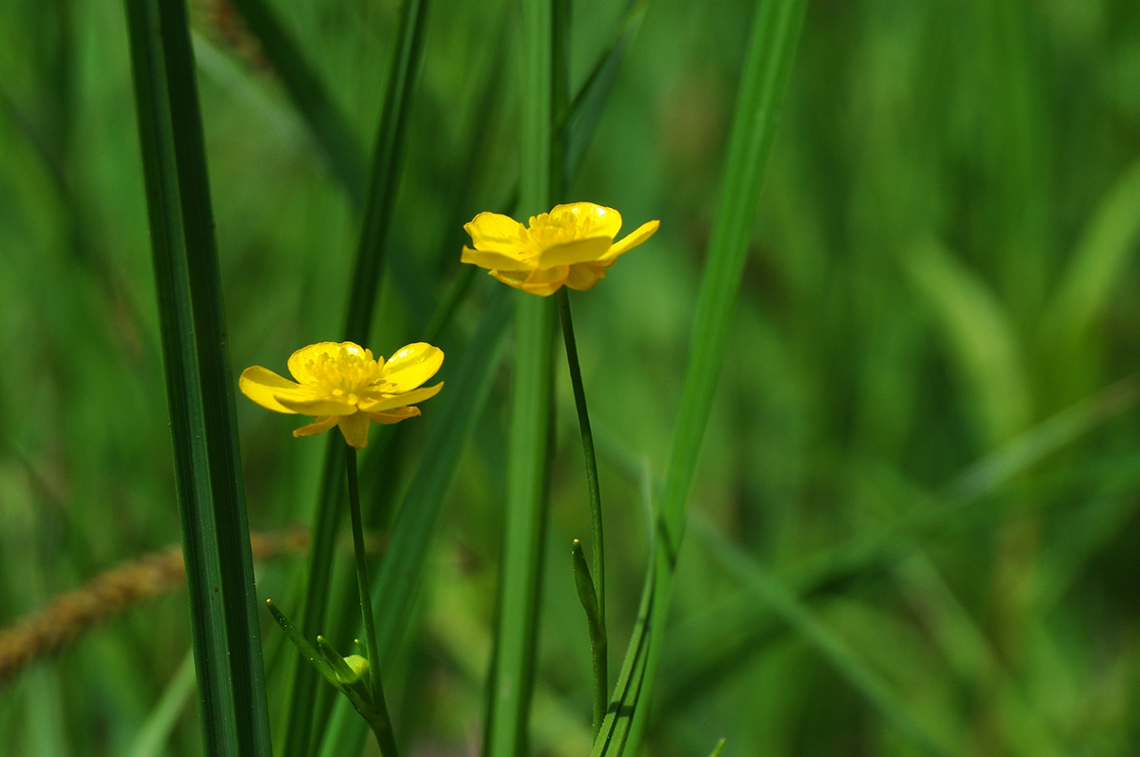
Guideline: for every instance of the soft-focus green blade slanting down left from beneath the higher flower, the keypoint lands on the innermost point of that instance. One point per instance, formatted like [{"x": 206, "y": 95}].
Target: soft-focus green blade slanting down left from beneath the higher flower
[{"x": 394, "y": 595}]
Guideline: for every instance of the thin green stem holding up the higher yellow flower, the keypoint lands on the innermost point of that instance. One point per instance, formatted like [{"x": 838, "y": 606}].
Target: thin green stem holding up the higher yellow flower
[{"x": 600, "y": 645}]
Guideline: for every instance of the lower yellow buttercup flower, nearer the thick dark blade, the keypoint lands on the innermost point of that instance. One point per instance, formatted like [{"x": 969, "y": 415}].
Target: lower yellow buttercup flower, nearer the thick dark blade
[{"x": 341, "y": 385}]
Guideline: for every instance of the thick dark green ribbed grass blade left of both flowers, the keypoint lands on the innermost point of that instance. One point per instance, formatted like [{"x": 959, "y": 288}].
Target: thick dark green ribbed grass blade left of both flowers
[{"x": 200, "y": 385}]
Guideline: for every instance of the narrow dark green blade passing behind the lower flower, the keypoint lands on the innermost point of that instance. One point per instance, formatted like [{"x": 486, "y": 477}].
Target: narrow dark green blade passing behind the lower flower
[{"x": 387, "y": 160}]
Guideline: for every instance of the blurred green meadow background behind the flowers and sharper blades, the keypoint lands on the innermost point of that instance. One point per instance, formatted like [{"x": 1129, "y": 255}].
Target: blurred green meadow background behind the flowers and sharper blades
[{"x": 926, "y": 427}]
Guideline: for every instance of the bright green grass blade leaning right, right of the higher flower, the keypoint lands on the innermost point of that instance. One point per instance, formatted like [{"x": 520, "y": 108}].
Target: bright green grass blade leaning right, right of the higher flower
[{"x": 768, "y": 69}]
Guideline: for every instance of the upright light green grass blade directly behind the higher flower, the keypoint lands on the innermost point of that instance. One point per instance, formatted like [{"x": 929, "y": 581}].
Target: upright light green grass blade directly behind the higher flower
[{"x": 514, "y": 660}]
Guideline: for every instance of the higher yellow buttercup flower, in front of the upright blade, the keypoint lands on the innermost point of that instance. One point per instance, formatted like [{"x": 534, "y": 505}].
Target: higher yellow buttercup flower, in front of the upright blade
[{"x": 573, "y": 246}]
